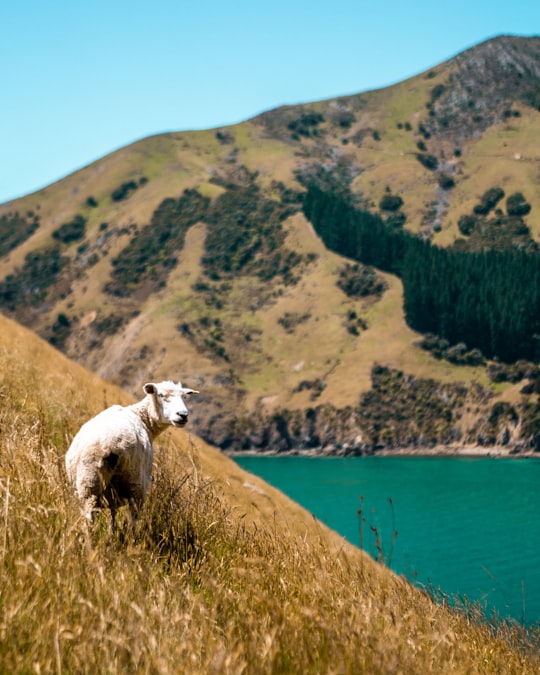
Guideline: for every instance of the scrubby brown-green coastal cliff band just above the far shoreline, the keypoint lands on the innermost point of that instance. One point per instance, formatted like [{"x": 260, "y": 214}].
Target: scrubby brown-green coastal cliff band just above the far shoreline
[{"x": 400, "y": 413}]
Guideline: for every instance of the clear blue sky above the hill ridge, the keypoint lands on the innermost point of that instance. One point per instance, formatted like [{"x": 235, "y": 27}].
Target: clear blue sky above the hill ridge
[{"x": 81, "y": 79}]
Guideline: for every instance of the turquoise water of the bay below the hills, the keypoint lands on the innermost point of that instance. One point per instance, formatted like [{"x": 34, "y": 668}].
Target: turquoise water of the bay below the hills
[{"x": 470, "y": 527}]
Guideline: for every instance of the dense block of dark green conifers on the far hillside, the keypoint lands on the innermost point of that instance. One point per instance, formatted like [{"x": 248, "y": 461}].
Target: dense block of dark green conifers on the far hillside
[{"x": 488, "y": 300}]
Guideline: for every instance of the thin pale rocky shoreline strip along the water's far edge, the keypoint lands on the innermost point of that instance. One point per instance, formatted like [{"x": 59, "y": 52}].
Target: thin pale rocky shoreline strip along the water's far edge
[{"x": 469, "y": 451}]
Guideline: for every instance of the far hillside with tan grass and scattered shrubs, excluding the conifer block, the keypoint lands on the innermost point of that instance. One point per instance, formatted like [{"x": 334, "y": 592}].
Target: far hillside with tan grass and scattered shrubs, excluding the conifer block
[{"x": 187, "y": 255}]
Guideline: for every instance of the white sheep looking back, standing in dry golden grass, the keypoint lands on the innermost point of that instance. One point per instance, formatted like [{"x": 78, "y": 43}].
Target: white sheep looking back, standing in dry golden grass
[{"x": 109, "y": 462}]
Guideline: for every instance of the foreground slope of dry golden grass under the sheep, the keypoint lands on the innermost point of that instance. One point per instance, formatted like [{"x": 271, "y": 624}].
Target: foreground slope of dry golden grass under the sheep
[{"x": 226, "y": 574}]
